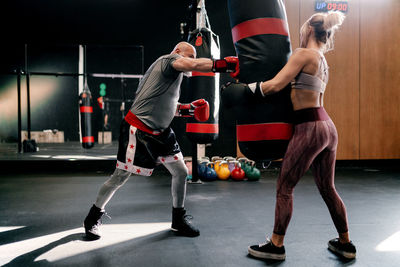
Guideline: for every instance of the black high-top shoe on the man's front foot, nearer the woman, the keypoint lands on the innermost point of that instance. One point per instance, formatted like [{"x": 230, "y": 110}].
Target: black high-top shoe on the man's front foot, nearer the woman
[{"x": 181, "y": 224}]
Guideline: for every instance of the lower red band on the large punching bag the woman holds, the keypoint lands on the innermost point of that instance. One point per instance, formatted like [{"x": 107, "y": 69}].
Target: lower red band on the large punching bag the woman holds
[{"x": 264, "y": 131}]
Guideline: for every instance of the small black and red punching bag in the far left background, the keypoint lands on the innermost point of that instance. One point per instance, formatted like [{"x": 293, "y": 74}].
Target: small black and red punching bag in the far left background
[{"x": 86, "y": 111}]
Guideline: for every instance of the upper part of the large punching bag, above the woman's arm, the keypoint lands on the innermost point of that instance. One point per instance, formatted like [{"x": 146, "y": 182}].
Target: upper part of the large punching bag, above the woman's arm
[{"x": 261, "y": 37}]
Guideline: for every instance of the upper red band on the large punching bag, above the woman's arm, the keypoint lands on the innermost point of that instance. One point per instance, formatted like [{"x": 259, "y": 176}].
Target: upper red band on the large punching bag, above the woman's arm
[{"x": 259, "y": 26}]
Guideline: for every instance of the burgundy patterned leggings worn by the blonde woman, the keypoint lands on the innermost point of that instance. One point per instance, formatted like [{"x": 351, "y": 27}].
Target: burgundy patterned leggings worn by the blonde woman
[{"x": 313, "y": 144}]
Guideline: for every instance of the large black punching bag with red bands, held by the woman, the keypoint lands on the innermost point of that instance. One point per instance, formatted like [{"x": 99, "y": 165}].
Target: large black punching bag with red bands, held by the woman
[{"x": 261, "y": 37}]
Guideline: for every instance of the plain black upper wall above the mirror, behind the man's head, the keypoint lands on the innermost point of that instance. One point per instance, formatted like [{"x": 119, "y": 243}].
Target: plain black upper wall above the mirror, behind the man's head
[{"x": 153, "y": 24}]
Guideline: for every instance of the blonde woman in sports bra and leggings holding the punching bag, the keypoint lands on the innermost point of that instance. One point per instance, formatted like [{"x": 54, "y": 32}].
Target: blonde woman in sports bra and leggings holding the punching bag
[{"x": 315, "y": 138}]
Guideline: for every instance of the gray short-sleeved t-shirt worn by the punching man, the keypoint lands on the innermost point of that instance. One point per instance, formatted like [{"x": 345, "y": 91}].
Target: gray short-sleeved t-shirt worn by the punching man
[{"x": 158, "y": 93}]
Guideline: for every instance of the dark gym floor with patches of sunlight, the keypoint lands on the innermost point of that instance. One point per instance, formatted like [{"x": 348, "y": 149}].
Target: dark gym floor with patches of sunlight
[{"x": 42, "y": 213}]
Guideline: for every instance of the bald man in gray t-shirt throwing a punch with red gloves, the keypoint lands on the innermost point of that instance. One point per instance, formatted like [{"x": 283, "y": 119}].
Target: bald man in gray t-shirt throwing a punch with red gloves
[{"x": 146, "y": 137}]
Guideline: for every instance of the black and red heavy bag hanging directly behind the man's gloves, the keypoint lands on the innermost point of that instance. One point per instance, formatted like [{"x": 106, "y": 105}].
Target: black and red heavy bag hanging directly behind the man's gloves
[{"x": 203, "y": 85}]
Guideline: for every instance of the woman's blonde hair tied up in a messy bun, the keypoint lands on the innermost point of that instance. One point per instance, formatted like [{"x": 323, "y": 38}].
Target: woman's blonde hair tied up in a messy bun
[{"x": 324, "y": 26}]
